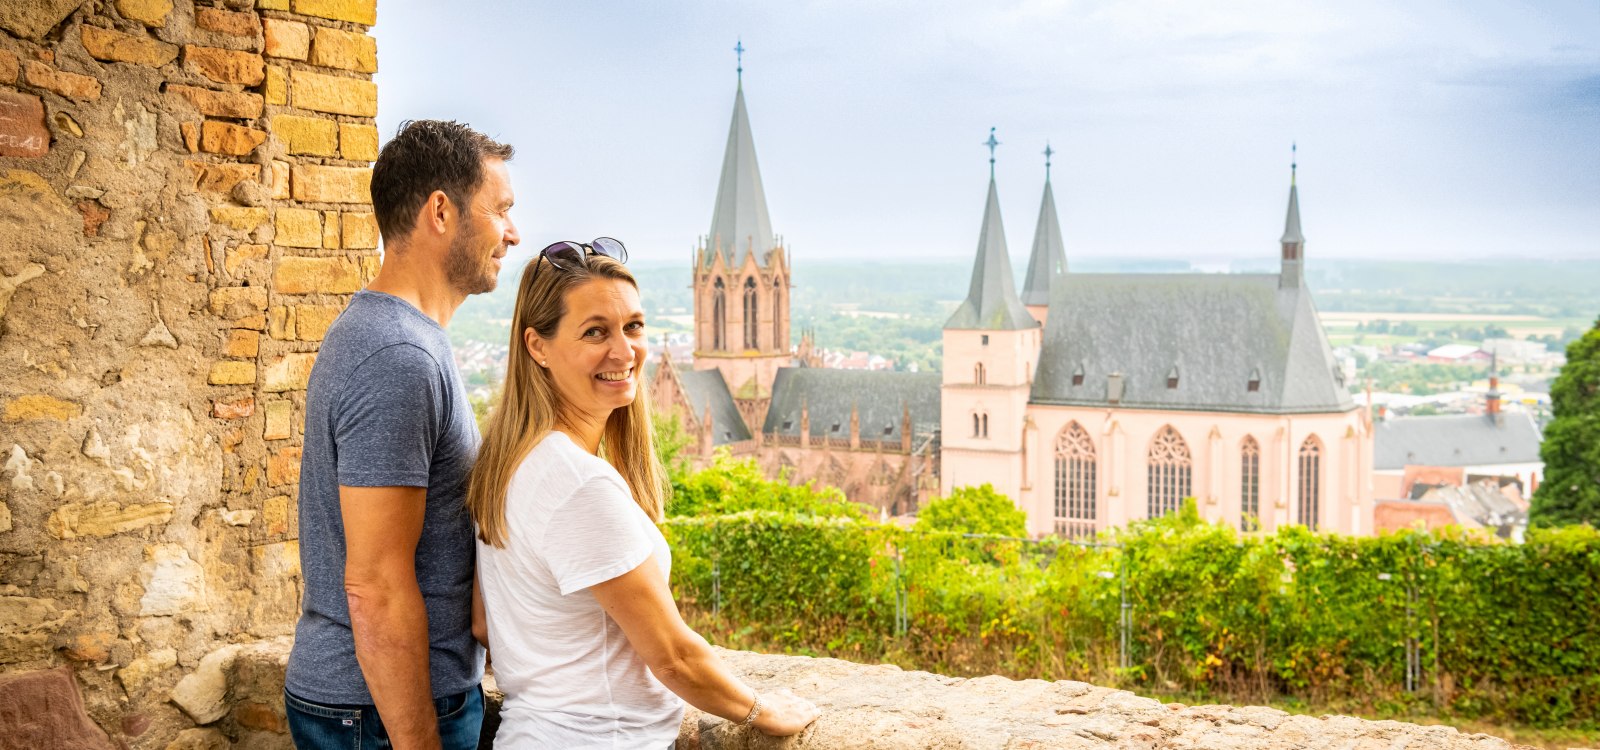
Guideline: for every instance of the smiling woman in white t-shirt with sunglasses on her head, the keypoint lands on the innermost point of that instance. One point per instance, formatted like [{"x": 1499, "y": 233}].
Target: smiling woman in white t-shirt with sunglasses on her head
[{"x": 567, "y": 495}]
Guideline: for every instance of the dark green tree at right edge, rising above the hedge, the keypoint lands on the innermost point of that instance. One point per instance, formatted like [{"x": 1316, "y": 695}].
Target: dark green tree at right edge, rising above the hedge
[{"x": 1572, "y": 442}]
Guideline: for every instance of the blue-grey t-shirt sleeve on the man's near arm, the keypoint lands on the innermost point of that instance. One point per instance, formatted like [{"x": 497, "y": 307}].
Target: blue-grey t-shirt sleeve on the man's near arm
[{"x": 390, "y": 420}]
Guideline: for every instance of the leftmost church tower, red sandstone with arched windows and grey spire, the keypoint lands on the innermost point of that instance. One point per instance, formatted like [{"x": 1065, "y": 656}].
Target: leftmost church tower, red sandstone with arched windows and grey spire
[{"x": 742, "y": 279}]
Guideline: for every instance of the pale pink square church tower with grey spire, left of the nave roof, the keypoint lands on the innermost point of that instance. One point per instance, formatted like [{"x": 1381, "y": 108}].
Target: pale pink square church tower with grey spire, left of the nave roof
[{"x": 991, "y": 345}]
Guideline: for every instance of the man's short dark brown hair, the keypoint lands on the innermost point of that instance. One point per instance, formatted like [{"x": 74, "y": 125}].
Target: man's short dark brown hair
[{"x": 423, "y": 158}]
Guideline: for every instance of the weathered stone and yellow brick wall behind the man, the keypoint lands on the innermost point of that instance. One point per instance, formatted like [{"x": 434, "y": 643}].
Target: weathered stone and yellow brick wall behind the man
[{"x": 183, "y": 212}]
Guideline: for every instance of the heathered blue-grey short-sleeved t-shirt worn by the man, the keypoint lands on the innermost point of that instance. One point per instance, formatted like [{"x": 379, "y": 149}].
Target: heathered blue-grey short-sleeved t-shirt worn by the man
[{"x": 385, "y": 409}]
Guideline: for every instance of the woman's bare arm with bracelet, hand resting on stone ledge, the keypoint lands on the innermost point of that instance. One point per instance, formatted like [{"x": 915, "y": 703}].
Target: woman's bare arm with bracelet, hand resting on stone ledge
[{"x": 642, "y": 605}]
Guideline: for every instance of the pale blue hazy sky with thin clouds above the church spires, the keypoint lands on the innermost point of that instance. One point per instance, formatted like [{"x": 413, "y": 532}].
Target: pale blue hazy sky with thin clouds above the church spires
[{"x": 1426, "y": 130}]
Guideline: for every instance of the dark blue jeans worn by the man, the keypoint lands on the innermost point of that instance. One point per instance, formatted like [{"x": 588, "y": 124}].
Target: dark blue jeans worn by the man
[{"x": 337, "y": 727}]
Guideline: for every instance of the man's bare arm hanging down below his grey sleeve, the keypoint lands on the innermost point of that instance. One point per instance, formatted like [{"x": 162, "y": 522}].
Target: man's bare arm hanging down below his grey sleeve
[{"x": 388, "y": 618}]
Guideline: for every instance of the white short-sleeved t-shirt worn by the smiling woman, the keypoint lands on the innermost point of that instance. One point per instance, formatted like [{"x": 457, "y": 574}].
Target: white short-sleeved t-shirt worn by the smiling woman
[{"x": 570, "y": 677}]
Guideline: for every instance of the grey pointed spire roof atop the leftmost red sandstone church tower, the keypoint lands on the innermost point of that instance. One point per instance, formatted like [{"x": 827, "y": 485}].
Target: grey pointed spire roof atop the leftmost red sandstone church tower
[{"x": 740, "y": 223}]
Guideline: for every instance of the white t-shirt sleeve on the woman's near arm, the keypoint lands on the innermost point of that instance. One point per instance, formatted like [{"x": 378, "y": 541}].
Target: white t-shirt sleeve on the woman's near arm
[{"x": 596, "y": 537}]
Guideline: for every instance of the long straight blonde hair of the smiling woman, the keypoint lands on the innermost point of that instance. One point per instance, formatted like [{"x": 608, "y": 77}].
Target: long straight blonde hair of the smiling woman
[{"x": 529, "y": 405}]
